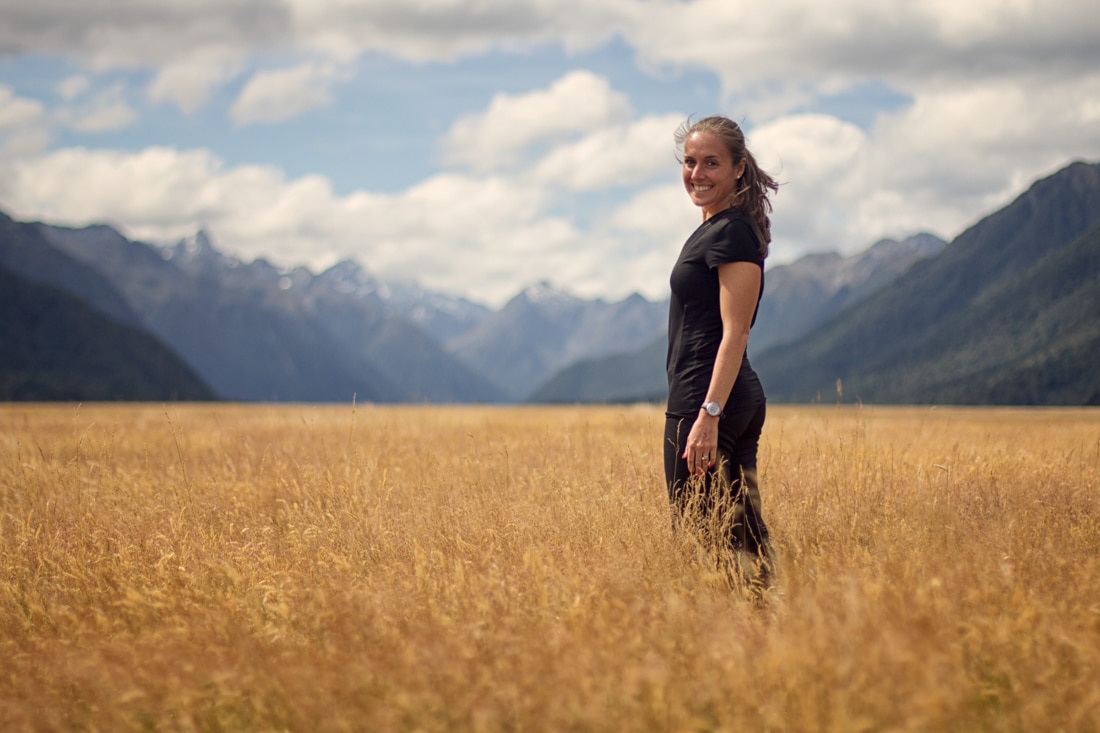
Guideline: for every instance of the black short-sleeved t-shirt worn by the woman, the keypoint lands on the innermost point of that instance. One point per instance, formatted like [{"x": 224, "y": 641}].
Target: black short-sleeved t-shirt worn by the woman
[{"x": 695, "y": 314}]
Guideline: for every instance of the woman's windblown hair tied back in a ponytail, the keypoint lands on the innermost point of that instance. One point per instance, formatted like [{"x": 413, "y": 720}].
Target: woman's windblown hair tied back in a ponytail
[{"x": 752, "y": 196}]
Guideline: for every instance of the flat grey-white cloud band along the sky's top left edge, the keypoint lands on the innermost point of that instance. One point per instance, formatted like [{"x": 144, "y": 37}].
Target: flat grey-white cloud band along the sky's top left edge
[{"x": 155, "y": 34}]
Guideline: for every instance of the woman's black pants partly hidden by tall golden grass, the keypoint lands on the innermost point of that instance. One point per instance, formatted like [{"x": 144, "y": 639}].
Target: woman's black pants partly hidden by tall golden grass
[{"x": 724, "y": 505}]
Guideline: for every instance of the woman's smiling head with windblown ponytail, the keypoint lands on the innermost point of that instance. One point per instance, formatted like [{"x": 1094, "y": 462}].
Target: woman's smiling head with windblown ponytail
[{"x": 720, "y": 172}]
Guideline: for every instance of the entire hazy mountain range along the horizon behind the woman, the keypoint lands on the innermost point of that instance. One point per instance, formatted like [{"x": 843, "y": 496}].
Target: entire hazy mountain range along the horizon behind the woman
[{"x": 1006, "y": 314}]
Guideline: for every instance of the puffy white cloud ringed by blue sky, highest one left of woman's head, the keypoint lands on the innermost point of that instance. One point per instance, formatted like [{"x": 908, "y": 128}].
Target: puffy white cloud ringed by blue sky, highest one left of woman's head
[{"x": 577, "y": 103}]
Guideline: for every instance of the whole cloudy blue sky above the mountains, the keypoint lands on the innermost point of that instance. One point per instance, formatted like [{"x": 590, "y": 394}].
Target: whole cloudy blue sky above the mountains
[{"x": 479, "y": 147}]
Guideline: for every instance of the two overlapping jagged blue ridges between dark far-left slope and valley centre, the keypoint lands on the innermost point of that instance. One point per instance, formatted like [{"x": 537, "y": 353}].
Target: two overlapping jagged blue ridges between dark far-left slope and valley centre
[{"x": 256, "y": 333}]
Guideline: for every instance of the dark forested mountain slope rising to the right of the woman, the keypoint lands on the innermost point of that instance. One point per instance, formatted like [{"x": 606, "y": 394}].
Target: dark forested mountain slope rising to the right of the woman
[{"x": 944, "y": 333}]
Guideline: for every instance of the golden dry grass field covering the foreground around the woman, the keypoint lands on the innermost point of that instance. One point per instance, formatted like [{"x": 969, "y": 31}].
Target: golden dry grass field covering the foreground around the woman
[{"x": 343, "y": 568}]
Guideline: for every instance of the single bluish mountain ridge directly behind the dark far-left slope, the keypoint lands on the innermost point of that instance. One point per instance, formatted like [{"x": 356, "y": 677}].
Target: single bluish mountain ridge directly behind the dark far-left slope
[{"x": 246, "y": 336}]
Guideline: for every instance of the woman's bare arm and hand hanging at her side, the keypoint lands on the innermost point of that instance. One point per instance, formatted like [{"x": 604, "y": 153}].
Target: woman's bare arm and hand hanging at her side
[{"x": 740, "y": 288}]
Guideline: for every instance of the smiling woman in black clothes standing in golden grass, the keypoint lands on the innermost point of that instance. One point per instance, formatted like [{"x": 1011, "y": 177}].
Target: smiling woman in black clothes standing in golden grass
[{"x": 717, "y": 406}]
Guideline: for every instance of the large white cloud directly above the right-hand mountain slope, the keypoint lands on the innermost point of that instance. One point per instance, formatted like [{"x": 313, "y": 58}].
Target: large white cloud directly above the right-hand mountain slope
[{"x": 965, "y": 151}]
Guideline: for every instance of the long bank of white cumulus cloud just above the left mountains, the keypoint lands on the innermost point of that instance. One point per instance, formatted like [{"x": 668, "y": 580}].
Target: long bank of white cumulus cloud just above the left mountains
[{"x": 453, "y": 233}]
